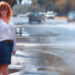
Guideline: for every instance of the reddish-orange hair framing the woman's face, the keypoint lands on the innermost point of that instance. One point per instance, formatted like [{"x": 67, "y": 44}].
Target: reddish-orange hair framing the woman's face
[{"x": 9, "y": 13}]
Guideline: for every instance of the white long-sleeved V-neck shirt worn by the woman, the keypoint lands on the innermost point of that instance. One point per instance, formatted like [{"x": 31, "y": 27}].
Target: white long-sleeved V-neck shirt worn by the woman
[{"x": 7, "y": 32}]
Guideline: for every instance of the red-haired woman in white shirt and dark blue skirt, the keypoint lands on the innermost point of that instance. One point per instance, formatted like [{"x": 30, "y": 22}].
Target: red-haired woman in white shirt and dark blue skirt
[{"x": 7, "y": 37}]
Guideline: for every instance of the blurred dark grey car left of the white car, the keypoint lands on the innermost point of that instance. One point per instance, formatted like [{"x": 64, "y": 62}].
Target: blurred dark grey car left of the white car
[{"x": 34, "y": 17}]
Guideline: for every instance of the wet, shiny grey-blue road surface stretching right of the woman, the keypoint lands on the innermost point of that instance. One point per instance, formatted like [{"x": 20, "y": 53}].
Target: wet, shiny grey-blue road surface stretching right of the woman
[{"x": 48, "y": 50}]
